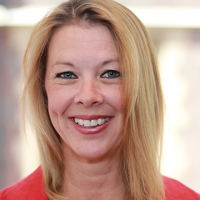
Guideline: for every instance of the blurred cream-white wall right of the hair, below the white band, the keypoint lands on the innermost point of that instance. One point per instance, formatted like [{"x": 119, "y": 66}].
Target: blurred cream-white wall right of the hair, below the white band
[{"x": 179, "y": 59}]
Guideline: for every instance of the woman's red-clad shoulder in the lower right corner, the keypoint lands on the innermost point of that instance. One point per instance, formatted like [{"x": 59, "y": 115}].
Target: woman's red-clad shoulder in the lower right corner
[{"x": 174, "y": 190}]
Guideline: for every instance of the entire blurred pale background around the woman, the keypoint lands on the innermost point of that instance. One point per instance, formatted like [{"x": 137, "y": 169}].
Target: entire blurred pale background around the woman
[{"x": 174, "y": 26}]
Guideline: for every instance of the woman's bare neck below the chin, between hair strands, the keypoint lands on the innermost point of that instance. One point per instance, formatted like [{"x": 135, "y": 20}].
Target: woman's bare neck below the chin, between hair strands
[{"x": 99, "y": 180}]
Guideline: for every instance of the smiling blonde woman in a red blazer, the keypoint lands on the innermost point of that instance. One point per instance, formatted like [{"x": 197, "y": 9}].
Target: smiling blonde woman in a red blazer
[{"x": 93, "y": 92}]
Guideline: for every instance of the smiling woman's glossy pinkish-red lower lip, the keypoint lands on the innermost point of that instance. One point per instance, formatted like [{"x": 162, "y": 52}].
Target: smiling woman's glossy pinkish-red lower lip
[{"x": 90, "y": 130}]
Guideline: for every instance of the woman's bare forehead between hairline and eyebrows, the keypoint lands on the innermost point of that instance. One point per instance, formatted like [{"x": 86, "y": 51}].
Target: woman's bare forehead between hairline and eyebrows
[{"x": 71, "y": 41}]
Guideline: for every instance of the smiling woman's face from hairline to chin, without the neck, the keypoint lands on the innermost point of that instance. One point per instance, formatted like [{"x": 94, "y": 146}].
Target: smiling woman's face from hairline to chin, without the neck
[{"x": 83, "y": 86}]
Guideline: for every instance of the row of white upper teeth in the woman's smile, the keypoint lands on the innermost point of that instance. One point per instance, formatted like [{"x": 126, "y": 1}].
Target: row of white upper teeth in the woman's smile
[{"x": 93, "y": 122}]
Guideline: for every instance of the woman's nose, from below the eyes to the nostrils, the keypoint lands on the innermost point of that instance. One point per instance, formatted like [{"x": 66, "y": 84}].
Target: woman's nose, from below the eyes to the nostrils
[{"x": 88, "y": 93}]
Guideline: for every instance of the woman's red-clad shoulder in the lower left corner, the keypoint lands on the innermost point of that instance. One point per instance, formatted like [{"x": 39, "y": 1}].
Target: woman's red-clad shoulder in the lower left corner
[{"x": 29, "y": 188}]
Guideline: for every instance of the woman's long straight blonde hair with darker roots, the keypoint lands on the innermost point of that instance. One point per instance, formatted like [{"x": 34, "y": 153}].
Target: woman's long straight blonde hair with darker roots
[{"x": 143, "y": 107}]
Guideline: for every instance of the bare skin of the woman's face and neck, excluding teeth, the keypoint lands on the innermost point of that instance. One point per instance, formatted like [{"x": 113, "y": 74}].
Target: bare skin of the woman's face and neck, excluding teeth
[{"x": 83, "y": 81}]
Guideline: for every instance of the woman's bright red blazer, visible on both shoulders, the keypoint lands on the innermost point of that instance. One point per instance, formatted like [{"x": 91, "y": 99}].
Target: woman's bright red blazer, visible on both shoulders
[{"x": 31, "y": 188}]
